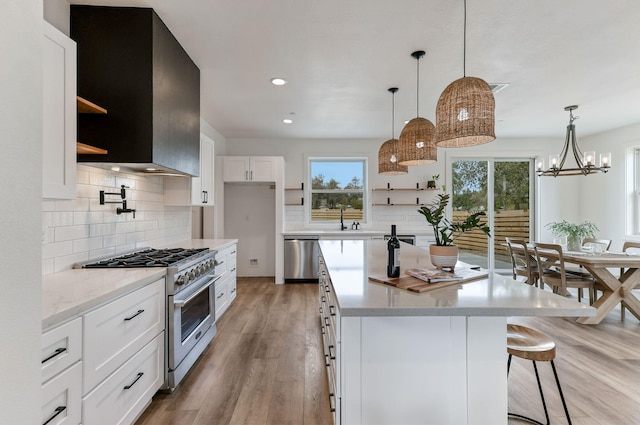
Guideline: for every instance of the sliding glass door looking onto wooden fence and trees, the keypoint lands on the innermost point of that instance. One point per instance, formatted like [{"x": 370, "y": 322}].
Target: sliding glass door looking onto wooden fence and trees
[{"x": 501, "y": 187}]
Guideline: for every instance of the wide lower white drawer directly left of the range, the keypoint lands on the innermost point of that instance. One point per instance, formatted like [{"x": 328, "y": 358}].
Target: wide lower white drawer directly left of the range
[{"x": 123, "y": 395}]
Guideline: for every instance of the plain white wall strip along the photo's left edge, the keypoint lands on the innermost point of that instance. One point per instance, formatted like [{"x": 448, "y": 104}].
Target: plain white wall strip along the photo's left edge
[{"x": 21, "y": 164}]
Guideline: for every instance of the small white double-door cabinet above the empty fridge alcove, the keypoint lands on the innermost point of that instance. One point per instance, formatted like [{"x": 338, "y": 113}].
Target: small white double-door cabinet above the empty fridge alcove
[{"x": 249, "y": 168}]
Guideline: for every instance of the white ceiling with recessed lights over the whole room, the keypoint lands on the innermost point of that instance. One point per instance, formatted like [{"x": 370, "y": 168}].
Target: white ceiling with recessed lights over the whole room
[{"x": 341, "y": 56}]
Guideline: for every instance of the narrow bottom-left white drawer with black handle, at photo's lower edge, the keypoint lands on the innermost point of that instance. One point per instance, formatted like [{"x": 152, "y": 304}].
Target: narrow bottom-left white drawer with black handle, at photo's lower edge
[{"x": 61, "y": 400}]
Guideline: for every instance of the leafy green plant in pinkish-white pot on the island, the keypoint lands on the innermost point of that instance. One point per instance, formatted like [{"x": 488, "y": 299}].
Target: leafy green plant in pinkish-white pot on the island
[{"x": 444, "y": 254}]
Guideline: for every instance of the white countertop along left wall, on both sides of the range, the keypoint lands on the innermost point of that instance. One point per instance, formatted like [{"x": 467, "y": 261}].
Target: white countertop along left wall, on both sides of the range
[{"x": 70, "y": 293}]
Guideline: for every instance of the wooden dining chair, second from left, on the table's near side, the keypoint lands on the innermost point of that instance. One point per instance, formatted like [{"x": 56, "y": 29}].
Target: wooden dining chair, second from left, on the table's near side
[{"x": 553, "y": 273}]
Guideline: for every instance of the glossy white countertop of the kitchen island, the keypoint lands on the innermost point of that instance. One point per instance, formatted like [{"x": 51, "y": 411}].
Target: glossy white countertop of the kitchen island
[{"x": 350, "y": 262}]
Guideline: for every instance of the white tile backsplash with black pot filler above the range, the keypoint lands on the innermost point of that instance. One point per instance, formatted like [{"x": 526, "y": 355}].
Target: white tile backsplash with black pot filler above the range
[{"x": 81, "y": 229}]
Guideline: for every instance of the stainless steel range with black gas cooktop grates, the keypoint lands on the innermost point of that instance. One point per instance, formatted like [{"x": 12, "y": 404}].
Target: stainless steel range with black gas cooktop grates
[{"x": 190, "y": 301}]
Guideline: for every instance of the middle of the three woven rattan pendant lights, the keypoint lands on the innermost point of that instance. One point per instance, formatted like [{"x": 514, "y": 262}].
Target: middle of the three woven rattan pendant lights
[{"x": 417, "y": 139}]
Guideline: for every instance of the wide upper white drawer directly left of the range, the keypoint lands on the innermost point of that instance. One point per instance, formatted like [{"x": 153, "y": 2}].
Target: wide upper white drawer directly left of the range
[{"x": 115, "y": 332}]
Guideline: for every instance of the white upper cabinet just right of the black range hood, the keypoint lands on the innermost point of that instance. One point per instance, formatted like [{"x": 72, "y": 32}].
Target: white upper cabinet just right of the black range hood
[{"x": 196, "y": 191}]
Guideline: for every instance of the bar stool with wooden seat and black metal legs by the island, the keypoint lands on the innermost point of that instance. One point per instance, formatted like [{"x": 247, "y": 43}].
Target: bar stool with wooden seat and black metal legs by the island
[{"x": 530, "y": 344}]
